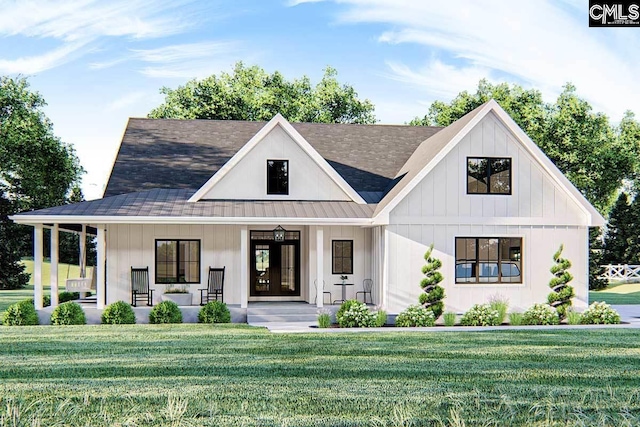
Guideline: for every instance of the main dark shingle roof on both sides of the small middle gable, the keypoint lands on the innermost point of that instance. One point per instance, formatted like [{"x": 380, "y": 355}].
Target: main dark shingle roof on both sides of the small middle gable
[{"x": 184, "y": 154}]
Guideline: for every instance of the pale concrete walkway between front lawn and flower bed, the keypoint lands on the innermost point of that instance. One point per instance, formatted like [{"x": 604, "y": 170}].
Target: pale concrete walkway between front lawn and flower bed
[{"x": 629, "y": 314}]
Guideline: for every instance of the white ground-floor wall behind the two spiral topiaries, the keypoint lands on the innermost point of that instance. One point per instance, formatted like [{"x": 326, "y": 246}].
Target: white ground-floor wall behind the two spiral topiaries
[{"x": 408, "y": 243}]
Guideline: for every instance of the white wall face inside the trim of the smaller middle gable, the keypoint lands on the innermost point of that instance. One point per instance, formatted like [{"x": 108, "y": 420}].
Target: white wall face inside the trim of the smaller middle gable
[{"x": 307, "y": 181}]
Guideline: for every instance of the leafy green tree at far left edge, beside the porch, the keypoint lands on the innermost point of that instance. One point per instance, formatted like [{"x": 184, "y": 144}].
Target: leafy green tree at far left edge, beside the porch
[{"x": 37, "y": 170}]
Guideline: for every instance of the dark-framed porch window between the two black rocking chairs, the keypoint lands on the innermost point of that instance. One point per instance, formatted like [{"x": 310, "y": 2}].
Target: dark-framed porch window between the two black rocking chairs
[{"x": 177, "y": 261}]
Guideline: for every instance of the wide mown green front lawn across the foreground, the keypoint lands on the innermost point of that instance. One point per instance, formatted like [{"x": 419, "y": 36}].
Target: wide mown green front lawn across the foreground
[{"x": 204, "y": 375}]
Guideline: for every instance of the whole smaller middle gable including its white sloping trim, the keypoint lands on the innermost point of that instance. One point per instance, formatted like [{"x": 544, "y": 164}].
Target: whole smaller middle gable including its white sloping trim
[{"x": 244, "y": 177}]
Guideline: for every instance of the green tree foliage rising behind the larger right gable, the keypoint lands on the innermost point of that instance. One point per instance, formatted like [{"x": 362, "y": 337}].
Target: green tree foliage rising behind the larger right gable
[{"x": 592, "y": 153}]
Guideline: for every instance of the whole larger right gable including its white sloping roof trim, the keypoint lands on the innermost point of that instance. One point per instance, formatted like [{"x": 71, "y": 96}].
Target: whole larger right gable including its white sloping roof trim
[{"x": 436, "y": 189}]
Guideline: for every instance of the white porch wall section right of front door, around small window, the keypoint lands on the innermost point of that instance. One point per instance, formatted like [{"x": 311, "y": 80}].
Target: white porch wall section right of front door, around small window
[{"x": 362, "y": 265}]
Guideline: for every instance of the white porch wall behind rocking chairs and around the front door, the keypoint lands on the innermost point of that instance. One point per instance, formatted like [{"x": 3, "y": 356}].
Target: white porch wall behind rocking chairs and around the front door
[{"x": 130, "y": 245}]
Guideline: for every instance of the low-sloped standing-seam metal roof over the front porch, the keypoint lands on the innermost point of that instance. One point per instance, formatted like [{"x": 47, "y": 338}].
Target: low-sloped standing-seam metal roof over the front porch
[{"x": 174, "y": 203}]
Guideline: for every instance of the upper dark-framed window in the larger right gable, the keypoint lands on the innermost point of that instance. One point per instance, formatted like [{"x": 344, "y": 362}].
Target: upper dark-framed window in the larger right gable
[{"x": 488, "y": 175}]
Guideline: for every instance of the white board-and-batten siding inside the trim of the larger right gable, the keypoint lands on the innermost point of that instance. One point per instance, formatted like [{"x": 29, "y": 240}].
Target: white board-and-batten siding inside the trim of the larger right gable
[{"x": 535, "y": 195}]
